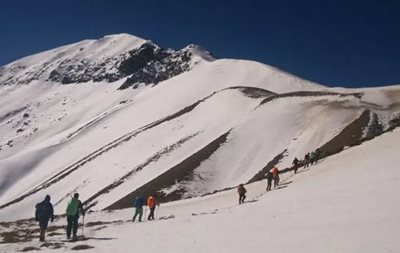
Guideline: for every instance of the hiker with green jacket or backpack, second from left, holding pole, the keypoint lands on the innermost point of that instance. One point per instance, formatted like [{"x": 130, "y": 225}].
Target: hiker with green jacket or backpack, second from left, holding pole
[{"x": 74, "y": 207}]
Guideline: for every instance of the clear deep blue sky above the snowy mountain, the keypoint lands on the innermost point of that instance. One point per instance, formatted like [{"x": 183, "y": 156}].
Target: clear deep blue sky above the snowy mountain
[{"x": 338, "y": 43}]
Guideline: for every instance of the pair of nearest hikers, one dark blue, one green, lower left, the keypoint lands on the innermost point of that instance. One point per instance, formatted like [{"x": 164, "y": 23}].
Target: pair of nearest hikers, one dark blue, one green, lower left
[{"x": 45, "y": 213}]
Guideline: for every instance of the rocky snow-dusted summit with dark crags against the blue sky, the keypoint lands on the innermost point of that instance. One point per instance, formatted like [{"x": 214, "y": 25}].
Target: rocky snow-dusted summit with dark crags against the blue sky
[{"x": 142, "y": 64}]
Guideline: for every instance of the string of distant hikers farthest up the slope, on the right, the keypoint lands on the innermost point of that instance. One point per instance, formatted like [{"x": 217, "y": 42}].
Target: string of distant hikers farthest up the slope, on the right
[{"x": 273, "y": 174}]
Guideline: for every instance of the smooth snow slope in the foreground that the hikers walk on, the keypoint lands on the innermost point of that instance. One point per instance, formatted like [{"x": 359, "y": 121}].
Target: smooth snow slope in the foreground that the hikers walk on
[{"x": 346, "y": 203}]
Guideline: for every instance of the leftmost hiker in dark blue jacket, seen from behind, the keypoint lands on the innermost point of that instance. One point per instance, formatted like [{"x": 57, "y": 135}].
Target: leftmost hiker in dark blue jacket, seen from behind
[{"x": 44, "y": 212}]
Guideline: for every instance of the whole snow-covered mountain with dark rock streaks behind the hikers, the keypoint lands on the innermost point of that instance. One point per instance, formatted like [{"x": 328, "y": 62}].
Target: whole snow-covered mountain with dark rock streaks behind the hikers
[{"x": 121, "y": 116}]
